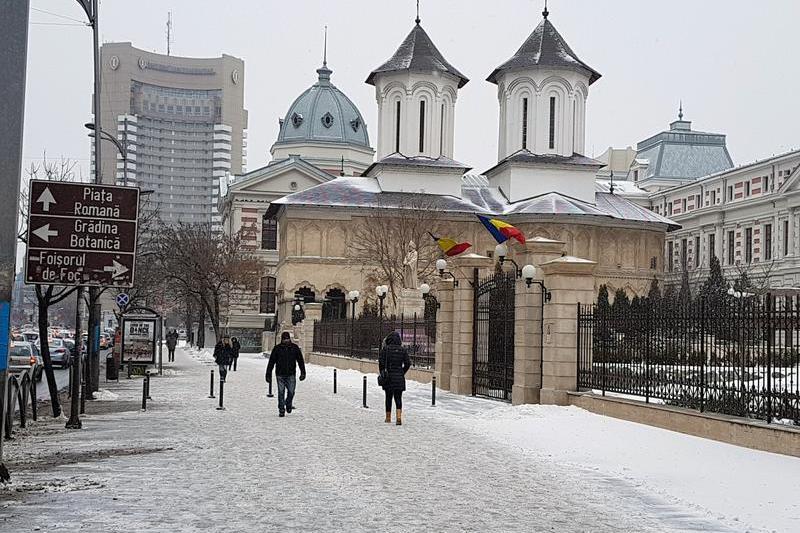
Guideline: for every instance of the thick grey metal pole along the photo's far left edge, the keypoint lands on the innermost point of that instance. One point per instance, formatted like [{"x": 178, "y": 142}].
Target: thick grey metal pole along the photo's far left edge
[{"x": 13, "y": 61}]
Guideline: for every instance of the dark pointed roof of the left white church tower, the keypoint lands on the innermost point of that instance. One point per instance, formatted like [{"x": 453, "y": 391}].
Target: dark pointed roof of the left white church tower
[{"x": 417, "y": 53}]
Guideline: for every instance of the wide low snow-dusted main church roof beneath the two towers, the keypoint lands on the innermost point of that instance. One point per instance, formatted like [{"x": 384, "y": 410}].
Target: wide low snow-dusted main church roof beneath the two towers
[{"x": 477, "y": 197}]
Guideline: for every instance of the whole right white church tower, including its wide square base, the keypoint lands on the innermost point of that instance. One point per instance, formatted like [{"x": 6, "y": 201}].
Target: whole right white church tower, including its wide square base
[{"x": 542, "y": 91}]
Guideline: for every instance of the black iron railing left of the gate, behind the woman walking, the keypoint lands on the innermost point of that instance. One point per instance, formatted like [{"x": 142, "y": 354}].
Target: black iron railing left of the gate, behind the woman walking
[{"x": 361, "y": 338}]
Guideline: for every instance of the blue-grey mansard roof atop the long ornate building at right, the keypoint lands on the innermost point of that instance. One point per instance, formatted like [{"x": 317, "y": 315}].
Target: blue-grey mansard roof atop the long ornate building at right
[{"x": 684, "y": 154}]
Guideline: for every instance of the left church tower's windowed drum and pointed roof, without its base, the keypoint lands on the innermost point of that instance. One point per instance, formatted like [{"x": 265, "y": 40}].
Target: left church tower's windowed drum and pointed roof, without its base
[{"x": 416, "y": 91}]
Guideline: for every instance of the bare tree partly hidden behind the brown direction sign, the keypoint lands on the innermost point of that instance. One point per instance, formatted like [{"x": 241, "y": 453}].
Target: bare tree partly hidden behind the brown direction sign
[{"x": 46, "y": 295}]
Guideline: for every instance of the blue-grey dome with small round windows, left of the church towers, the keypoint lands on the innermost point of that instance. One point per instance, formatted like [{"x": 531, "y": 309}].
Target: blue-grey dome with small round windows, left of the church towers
[{"x": 323, "y": 114}]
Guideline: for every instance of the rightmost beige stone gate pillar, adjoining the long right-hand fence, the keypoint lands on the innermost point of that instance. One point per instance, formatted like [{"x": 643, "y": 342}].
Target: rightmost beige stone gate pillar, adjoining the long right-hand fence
[{"x": 571, "y": 281}]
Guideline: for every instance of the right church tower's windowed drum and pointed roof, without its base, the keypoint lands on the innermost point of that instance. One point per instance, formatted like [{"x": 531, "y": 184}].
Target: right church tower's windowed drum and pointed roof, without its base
[{"x": 542, "y": 91}]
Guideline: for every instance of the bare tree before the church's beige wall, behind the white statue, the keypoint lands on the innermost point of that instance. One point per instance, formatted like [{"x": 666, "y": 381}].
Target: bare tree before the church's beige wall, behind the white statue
[{"x": 381, "y": 239}]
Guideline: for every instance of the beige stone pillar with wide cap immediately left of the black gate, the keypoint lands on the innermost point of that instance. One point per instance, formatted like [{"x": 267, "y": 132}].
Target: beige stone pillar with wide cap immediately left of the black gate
[{"x": 463, "y": 316}]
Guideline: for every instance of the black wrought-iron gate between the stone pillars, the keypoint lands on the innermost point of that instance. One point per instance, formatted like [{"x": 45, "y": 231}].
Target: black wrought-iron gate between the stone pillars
[{"x": 493, "y": 336}]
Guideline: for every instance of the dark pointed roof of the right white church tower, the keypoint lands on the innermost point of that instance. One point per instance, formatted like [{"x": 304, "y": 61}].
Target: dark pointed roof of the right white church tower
[{"x": 545, "y": 48}]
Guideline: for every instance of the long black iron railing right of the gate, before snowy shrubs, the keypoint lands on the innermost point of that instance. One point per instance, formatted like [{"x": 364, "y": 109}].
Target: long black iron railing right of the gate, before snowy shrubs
[{"x": 736, "y": 356}]
